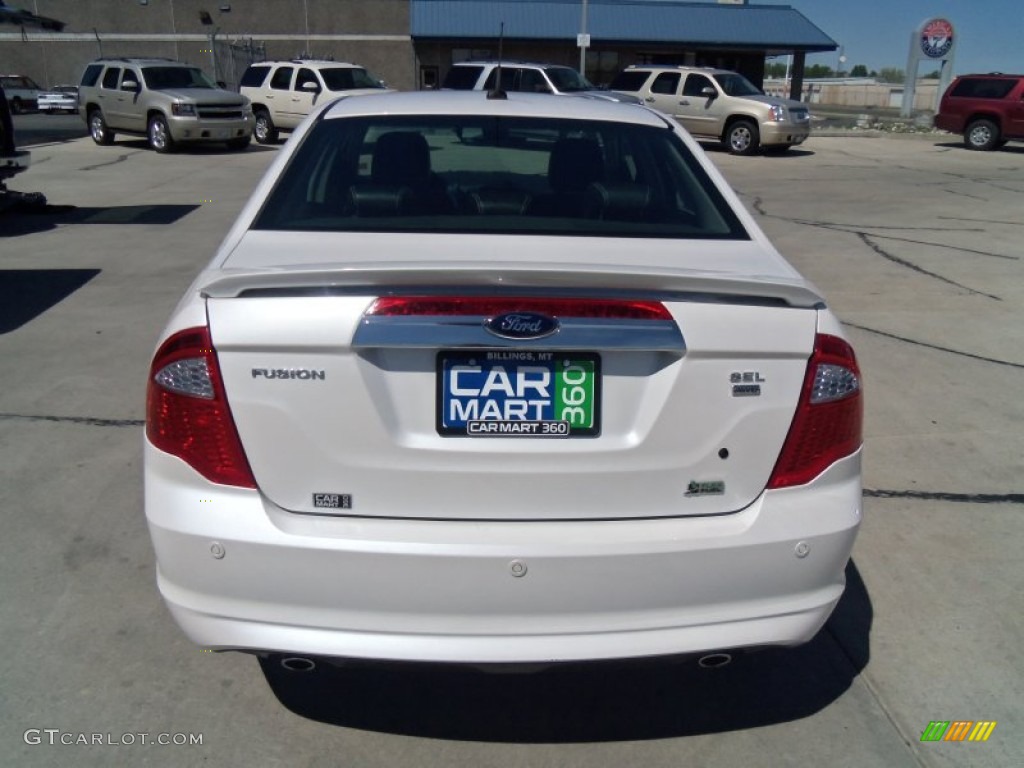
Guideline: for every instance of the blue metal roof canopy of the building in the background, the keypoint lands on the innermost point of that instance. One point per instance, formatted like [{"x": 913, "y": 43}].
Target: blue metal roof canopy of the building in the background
[{"x": 772, "y": 28}]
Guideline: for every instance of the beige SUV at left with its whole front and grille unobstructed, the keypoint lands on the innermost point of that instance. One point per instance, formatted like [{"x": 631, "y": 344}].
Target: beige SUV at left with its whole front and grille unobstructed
[{"x": 167, "y": 102}]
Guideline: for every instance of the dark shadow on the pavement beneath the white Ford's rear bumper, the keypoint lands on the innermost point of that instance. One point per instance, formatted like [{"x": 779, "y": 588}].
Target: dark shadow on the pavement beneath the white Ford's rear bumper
[{"x": 590, "y": 703}]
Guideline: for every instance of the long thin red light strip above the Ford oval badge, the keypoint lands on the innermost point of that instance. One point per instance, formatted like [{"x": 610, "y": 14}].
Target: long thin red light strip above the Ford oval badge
[{"x": 491, "y": 306}]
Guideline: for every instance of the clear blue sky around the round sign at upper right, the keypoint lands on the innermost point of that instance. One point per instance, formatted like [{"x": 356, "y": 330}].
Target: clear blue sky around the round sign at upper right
[{"x": 990, "y": 34}]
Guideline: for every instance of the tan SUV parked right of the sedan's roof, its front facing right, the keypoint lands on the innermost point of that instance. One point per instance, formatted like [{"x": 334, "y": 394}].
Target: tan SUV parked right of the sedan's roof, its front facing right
[{"x": 719, "y": 105}]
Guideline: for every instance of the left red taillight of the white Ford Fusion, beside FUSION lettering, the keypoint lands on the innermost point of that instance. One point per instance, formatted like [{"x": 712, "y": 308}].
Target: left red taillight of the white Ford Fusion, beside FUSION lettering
[{"x": 188, "y": 414}]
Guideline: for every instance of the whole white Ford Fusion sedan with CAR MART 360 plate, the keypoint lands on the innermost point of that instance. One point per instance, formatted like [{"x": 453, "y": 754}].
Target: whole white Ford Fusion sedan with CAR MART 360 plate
[{"x": 498, "y": 380}]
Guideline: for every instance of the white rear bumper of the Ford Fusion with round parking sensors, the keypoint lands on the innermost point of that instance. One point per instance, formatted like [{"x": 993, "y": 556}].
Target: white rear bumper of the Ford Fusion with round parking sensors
[{"x": 238, "y": 573}]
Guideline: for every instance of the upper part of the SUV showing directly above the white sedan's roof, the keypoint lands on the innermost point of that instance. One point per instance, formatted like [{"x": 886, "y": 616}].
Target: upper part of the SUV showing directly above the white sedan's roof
[{"x": 529, "y": 77}]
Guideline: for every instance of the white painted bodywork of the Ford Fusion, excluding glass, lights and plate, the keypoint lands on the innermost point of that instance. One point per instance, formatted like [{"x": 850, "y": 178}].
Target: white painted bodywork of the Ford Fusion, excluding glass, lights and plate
[{"x": 501, "y": 550}]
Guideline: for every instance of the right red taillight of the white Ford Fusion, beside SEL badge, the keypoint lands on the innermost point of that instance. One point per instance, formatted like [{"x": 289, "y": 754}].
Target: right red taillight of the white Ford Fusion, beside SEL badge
[{"x": 828, "y": 423}]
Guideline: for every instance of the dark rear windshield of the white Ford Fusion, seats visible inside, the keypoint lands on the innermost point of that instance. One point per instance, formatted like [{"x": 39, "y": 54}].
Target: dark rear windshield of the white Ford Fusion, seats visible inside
[{"x": 494, "y": 176}]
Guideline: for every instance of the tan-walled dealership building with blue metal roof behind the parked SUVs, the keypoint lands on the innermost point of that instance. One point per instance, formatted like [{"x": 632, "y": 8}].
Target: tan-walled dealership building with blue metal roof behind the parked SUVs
[{"x": 410, "y": 44}]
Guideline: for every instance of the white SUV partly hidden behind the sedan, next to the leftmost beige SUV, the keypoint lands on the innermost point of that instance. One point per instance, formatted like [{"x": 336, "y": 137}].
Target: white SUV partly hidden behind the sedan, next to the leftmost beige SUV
[{"x": 284, "y": 93}]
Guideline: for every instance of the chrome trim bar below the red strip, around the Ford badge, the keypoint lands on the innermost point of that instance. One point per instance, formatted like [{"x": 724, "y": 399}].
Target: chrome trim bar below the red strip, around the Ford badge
[{"x": 447, "y": 332}]
